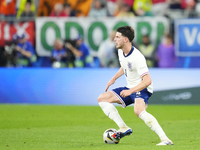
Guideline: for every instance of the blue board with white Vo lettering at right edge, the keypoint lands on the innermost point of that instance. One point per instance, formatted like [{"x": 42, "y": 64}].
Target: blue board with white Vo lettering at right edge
[{"x": 187, "y": 37}]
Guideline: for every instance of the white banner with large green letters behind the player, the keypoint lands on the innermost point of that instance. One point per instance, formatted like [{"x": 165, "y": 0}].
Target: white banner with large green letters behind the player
[{"x": 94, "y": 31}]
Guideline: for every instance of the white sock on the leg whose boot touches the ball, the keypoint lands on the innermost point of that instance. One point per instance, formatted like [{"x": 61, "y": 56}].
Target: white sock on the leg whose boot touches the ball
[{"x": 110, "y": 111}]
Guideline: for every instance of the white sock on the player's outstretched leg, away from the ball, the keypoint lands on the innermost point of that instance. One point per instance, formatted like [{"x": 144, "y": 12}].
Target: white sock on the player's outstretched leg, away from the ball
[{"x": 153, "y": 124}]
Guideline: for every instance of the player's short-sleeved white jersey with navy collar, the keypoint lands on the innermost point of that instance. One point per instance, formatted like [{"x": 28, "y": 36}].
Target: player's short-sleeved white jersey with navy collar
[{"x": 134, "y": 66}]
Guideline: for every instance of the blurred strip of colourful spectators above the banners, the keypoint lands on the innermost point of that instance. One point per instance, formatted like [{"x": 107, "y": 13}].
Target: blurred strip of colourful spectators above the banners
[{"x": 100, "y": 8}]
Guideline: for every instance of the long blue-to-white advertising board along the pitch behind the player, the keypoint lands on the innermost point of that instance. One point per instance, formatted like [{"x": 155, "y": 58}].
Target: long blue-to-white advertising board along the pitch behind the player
[{"x": 83, "y": 86}]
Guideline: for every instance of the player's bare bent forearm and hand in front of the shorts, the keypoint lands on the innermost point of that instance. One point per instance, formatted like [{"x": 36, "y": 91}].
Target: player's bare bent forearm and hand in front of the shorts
[{"x": 146, "y": 81}]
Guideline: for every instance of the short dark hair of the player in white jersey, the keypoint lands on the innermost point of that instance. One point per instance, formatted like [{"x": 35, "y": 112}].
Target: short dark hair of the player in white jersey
[{"x": 127, "y": 31}]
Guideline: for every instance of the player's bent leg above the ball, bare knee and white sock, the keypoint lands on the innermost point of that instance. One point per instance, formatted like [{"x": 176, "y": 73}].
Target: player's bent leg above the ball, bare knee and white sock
[{"x": 105, "y": 101}]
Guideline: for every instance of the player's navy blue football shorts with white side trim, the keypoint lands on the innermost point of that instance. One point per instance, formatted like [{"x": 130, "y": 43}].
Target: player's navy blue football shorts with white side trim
[{"x": 144, "y": 94}]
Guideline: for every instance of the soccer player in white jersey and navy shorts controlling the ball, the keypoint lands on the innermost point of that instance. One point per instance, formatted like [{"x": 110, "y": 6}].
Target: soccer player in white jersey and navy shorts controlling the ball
[{"x": 138, "y": 90}]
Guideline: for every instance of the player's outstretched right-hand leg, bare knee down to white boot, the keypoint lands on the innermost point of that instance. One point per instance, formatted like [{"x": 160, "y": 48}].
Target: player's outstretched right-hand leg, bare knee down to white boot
[{"x": 140, "y": 110}]
